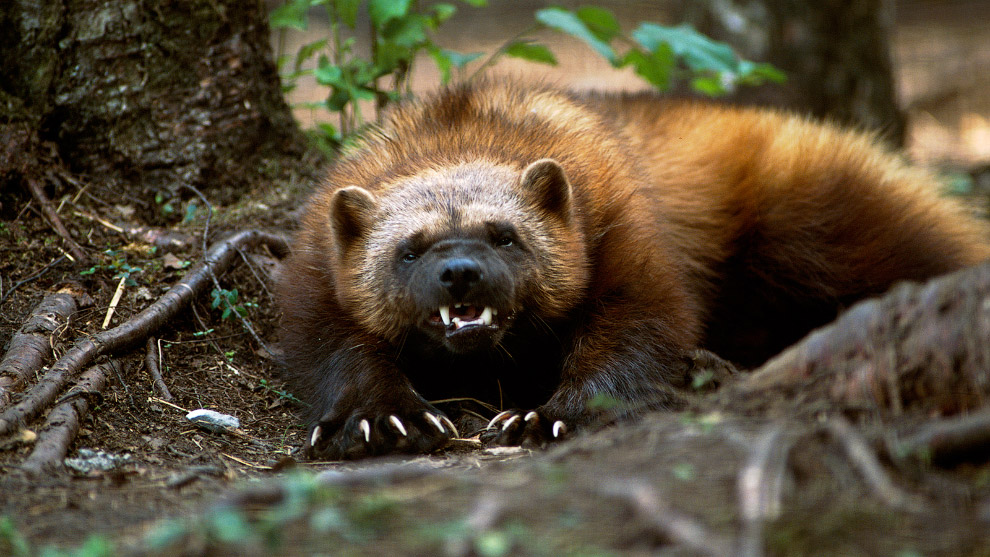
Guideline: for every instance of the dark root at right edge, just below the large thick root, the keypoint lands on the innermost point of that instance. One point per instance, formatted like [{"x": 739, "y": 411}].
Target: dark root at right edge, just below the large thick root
[{"x": 953, "y": 438}]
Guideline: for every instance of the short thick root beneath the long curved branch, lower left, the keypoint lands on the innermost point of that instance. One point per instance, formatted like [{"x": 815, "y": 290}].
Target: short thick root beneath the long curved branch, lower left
[{"x": 63, "y": 422}]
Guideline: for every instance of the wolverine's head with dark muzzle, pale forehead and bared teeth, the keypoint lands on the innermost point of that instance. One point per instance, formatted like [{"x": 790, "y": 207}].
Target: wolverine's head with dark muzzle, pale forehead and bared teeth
[{"x": 459, "y": 252}]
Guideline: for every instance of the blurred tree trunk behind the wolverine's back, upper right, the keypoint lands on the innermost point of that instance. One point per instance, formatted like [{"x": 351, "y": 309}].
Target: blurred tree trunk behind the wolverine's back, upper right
[{"x": 836, "y": 54}]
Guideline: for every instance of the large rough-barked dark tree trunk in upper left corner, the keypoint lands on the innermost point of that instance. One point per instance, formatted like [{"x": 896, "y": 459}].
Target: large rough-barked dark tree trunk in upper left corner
[{"x": 140, "y": 97}]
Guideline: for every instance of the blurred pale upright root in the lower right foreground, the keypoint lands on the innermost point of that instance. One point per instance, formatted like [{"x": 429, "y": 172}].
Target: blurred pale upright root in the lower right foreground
[{"x": 760, "y": 484}]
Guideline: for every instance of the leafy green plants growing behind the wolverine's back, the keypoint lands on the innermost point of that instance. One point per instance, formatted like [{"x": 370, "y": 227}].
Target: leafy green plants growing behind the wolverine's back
[{"x": 399, "y": 30}]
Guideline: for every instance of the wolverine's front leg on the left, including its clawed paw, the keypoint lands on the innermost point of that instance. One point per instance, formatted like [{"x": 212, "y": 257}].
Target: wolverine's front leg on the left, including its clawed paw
[{"x": 365, "y": 406}]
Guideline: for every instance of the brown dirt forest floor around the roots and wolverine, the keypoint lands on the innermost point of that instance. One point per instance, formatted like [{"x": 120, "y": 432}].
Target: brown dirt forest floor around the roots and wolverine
[{"x": 780, "y": 478}]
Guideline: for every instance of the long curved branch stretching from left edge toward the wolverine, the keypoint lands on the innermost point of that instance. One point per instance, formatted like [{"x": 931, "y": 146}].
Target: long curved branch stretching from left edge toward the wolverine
[{"x": 136, "y": 329}]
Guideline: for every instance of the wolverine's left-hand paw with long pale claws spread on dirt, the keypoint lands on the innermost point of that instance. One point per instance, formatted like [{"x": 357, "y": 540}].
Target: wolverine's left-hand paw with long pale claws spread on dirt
[{"x": 362, "y": 434}]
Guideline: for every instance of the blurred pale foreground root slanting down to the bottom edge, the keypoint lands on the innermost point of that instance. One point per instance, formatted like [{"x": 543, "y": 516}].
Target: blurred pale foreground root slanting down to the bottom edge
[{"x": 665, "y": 520}]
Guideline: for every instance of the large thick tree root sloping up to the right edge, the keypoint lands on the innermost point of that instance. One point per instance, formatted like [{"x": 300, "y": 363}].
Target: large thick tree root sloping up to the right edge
[{"x": 922, "y": 346}]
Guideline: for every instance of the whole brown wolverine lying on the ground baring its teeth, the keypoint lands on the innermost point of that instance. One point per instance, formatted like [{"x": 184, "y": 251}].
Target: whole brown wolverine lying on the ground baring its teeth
[{"x": 536, "y": 248}]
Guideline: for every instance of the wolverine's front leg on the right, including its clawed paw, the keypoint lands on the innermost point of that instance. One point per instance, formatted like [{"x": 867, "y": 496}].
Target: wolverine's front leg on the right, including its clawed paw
[{"x": 635, "y": 360}]
